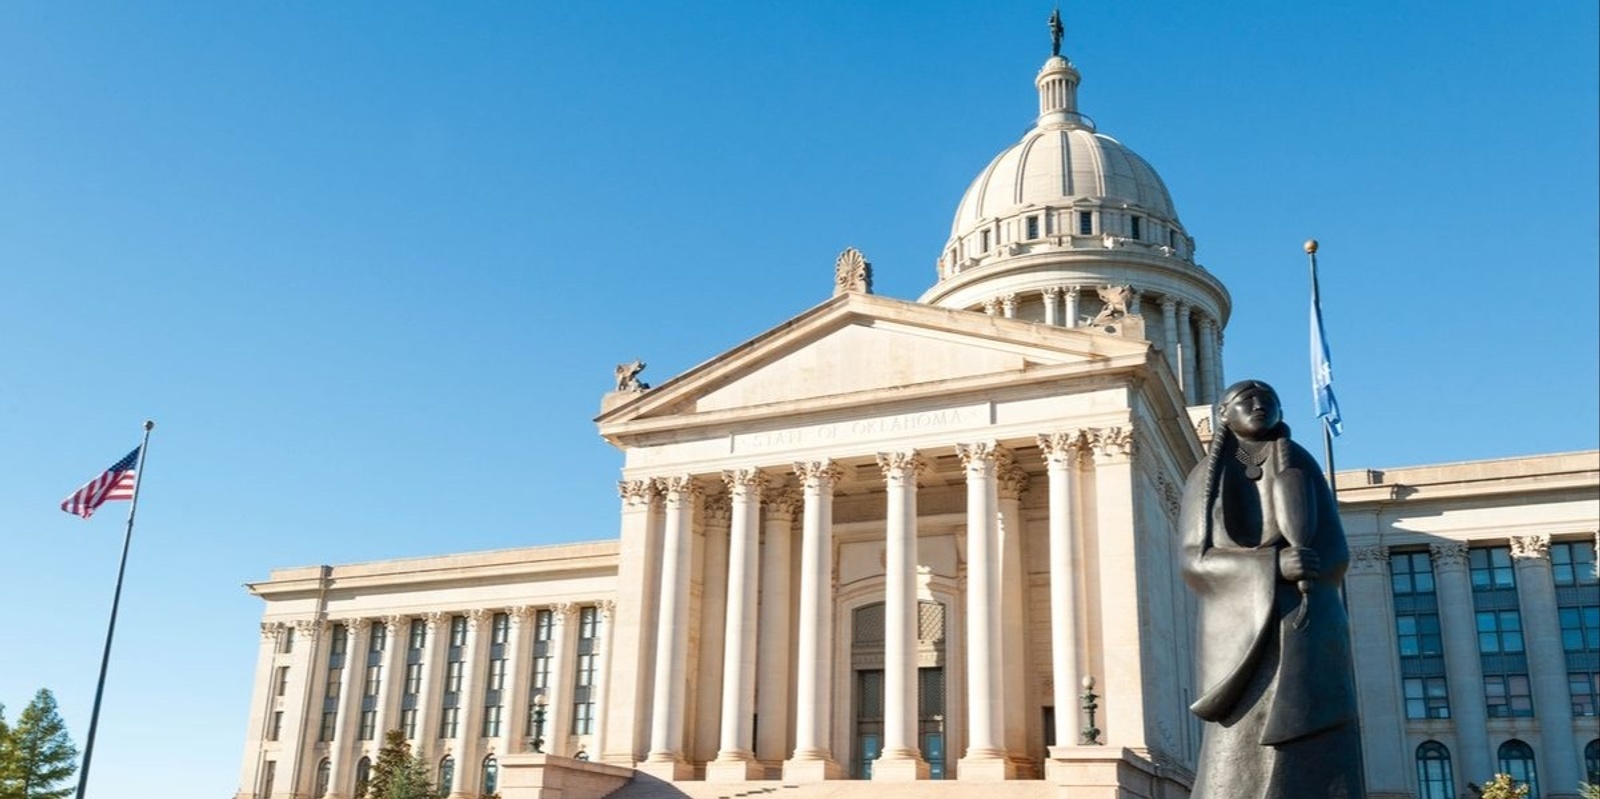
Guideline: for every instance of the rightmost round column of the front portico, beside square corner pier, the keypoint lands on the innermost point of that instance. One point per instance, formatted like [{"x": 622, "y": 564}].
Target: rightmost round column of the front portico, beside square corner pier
[{"x": 1063, "y": 452}]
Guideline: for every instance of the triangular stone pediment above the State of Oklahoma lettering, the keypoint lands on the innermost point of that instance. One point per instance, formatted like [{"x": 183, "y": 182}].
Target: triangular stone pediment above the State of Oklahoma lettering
[{"x": 863, "y": 350}]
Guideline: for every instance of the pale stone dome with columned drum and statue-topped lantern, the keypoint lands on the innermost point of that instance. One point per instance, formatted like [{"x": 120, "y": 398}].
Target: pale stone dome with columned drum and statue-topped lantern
[{"x": 1070, "y": 212}]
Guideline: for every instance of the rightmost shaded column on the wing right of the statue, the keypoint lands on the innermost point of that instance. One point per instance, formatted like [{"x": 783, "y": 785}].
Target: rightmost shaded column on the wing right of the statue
[{"x": 1553, "y": 702}]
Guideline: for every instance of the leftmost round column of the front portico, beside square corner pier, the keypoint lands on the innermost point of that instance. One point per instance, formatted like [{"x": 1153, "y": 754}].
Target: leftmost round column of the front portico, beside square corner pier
[{"x": 666, "y": 721}]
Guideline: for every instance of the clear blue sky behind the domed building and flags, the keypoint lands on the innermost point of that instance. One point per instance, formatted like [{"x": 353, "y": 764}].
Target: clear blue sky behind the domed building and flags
[{"x": 370, "y": 265}]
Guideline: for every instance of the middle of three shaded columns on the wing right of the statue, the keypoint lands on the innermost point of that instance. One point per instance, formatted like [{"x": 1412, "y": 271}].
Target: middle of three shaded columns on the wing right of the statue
[{"x": 1458, "y": 625}]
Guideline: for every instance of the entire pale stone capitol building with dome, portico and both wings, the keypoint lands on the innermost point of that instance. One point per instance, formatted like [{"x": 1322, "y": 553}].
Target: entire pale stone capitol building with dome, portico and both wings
[{"x": 906, "y": 547}]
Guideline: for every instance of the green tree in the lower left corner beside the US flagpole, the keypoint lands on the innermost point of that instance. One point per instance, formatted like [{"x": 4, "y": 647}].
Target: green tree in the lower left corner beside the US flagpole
[{"x": 38, "y": 755}]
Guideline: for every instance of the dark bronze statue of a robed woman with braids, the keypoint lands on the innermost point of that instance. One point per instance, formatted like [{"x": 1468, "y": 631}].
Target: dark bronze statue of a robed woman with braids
[{"x": 1265, "y": 553}]
